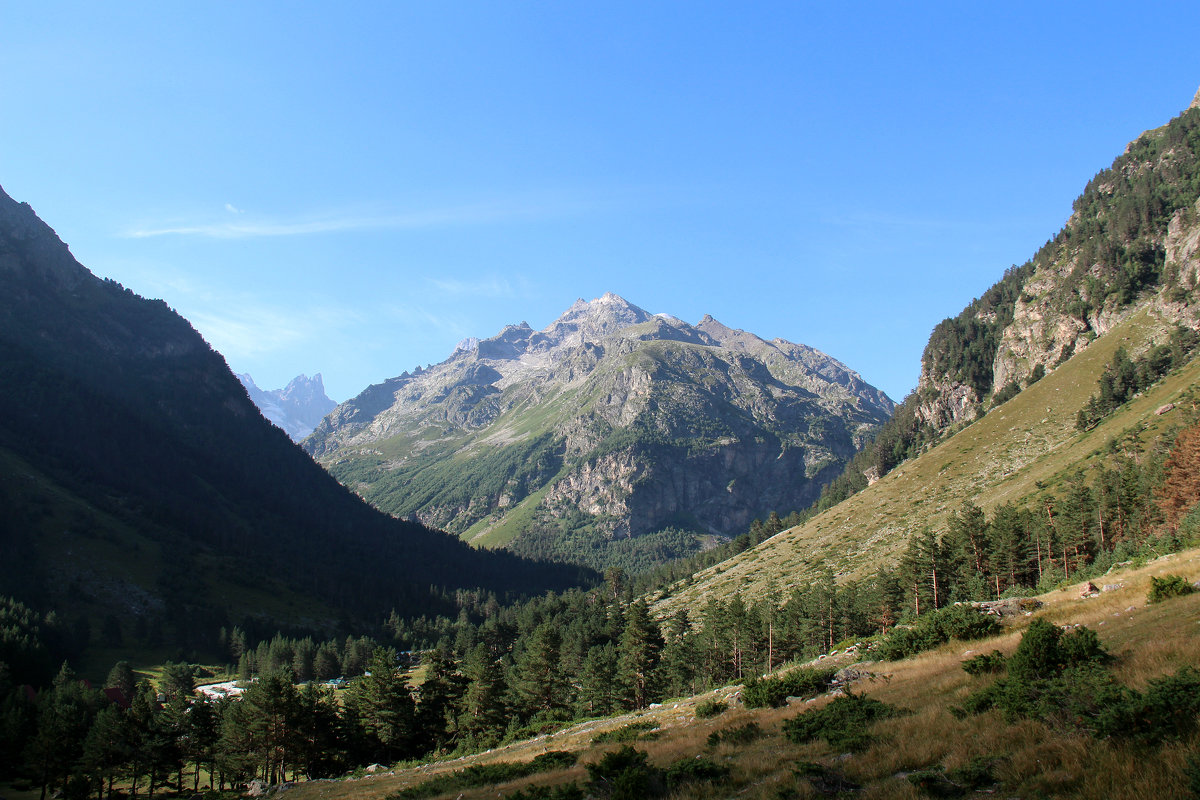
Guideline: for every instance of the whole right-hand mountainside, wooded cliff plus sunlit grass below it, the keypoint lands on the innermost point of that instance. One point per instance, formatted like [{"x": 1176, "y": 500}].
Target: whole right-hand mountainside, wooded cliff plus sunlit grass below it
[{"x": 1010, "y": 376}]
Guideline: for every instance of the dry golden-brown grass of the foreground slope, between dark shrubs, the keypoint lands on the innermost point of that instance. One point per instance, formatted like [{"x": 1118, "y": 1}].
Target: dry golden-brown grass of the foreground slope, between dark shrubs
[{"x": 1027, "y": 757}]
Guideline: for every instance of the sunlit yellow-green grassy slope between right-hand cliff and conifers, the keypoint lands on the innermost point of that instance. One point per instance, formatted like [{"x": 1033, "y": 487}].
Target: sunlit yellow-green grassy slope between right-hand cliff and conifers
[{"x": 1029, "y": 442}]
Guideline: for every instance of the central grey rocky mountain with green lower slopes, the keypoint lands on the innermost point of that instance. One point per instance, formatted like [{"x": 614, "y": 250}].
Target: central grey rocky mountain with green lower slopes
[{"x": 611, "y": 425}]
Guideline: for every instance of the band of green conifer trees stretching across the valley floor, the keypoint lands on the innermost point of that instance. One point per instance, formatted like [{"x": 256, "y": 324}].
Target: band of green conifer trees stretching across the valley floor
[{"x": 505, "y": 672}]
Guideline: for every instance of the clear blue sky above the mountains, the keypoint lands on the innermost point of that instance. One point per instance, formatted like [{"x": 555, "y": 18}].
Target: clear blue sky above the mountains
[{"x": 352, "y": 189}]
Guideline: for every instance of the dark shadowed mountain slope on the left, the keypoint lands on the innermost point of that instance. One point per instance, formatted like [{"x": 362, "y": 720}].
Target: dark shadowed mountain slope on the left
[{"x": 141, "y": 486}]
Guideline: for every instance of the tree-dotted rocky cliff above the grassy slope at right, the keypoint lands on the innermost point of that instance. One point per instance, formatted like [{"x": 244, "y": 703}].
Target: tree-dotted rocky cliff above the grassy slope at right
[{"x": 1132, "y": 244}]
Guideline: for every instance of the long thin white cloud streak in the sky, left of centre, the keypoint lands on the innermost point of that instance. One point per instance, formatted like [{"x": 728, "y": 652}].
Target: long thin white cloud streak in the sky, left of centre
[{"x": 248, "y": 228}]
